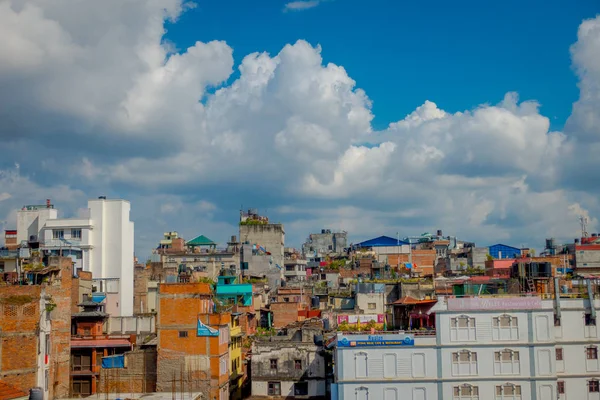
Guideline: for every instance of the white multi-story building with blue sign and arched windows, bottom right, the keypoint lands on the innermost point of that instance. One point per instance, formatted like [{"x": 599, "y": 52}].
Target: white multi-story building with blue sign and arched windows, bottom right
[{"x": 497, "y": 348}]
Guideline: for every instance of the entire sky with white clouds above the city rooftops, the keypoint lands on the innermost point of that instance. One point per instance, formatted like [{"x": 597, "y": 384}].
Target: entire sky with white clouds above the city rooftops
[{"x": 493, "y": 106}]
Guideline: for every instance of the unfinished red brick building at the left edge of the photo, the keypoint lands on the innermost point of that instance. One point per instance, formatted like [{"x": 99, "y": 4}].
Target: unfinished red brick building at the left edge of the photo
[{"x": 35, "y": 328}]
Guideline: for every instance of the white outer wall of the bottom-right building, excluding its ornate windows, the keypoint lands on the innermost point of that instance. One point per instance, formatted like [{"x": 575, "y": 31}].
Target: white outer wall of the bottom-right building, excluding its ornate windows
[{"x": 435, "y": 374}]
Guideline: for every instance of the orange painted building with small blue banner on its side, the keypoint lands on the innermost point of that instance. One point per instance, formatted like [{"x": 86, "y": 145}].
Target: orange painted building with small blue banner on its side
[{"x": 193, "y": 341}]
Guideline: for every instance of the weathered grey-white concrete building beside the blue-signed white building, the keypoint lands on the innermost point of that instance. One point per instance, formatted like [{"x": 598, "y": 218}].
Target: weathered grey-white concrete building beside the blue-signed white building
[{"x": 291, "y": 365}]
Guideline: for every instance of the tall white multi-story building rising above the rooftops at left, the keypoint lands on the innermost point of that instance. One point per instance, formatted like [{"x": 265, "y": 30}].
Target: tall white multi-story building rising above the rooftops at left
[{"x": 101, "y": 242}]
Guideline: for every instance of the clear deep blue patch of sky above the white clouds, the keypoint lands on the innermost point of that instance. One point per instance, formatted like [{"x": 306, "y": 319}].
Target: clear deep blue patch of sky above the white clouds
[{"x": 457, "y": 54}]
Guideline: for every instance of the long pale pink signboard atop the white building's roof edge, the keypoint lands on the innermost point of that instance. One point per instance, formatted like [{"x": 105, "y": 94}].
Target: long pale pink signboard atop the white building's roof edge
[{"x": 494, "y": 303}]
